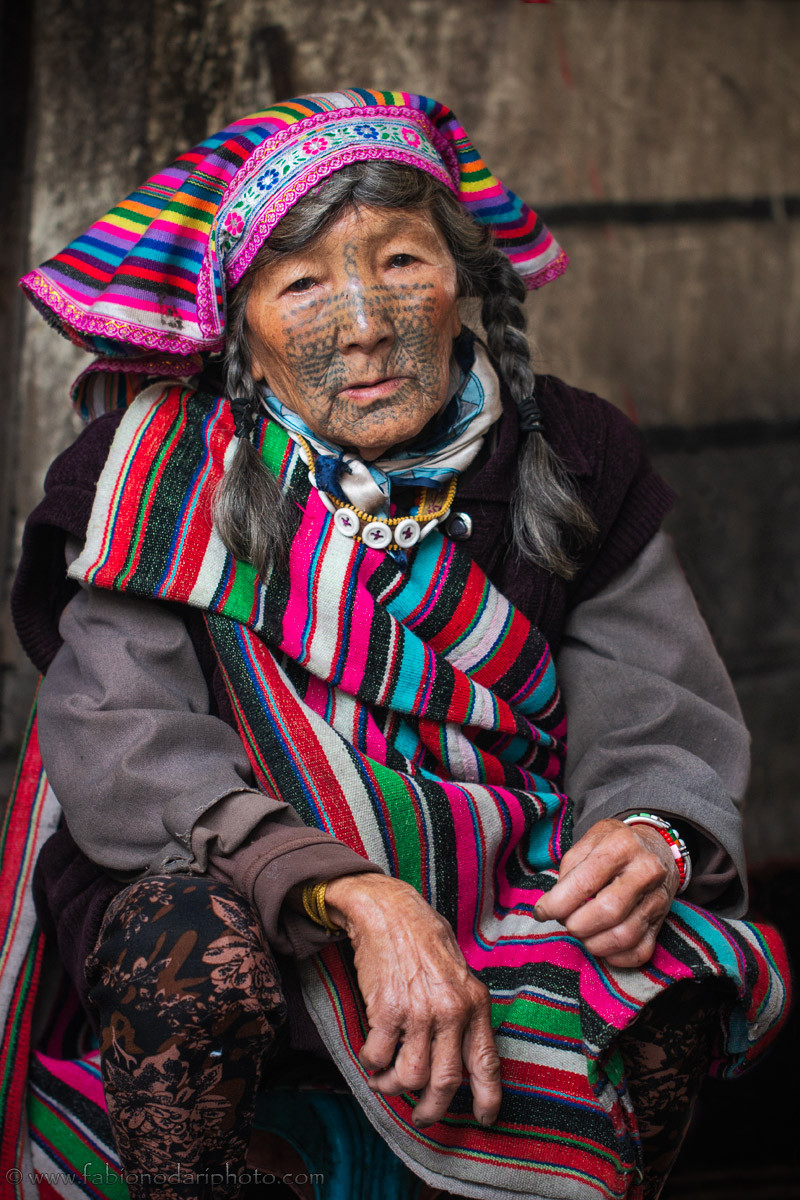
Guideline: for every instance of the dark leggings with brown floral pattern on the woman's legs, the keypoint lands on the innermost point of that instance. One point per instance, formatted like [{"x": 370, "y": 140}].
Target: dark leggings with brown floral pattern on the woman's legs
[{"x": 190, "y": 1009}]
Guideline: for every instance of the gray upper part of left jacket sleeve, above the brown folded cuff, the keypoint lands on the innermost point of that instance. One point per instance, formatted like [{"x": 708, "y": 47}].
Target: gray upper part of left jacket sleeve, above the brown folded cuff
[{"x": 128, "y": 740}]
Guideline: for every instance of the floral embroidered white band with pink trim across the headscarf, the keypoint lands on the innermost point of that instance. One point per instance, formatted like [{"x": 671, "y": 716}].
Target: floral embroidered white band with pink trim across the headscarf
[{"x": 286, "y": 167}]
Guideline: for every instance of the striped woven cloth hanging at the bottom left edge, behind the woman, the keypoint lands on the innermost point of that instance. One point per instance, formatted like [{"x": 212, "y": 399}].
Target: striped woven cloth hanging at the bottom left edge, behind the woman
[{"x": 56, "y": 1137}]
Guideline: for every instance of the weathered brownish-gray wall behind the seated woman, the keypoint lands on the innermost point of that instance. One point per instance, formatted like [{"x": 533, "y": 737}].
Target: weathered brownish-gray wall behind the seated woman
[{"x": 660, "y": 137}]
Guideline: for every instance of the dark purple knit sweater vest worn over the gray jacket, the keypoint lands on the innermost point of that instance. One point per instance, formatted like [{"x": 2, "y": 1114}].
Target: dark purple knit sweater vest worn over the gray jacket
[{"x": 598, "y": 445}]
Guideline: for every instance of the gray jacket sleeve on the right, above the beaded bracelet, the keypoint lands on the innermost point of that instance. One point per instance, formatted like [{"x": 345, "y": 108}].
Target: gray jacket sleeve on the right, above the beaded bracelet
[{"x": 654, "y": 723}]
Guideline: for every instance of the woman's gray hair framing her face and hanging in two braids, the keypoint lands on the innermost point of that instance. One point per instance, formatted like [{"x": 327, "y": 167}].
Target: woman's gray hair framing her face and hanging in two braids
[{"x": 255, "y": 518}]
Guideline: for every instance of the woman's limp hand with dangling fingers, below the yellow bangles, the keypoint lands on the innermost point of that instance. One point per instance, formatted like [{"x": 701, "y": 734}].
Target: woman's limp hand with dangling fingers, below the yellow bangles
[{"x": 424, "y": 1004}]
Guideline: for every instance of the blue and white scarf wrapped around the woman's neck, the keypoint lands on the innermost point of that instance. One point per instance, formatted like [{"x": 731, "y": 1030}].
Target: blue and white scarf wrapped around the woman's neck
[{"x": 449, "y": 446}]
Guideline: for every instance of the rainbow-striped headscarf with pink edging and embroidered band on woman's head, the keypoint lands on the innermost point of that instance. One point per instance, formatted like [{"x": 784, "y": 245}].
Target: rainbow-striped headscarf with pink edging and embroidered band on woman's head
[{"x": 149, "y": 279}]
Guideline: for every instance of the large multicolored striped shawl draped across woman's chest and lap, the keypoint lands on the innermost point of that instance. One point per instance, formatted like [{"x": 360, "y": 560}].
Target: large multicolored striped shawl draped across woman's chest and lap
[{"x": 417, "y": 717}]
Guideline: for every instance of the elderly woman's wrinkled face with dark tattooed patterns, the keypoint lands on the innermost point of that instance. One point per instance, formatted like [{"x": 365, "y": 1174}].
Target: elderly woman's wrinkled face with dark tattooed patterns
[{"x": 356, "y": 332}]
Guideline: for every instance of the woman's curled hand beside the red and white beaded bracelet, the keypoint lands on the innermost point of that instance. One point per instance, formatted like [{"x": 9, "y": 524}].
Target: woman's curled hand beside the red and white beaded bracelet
[{"x": 615, "y": 890}]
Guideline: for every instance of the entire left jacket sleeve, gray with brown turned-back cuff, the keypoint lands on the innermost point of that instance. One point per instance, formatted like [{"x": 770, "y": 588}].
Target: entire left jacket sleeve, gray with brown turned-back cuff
[{"x": 151, "y": 782}]
